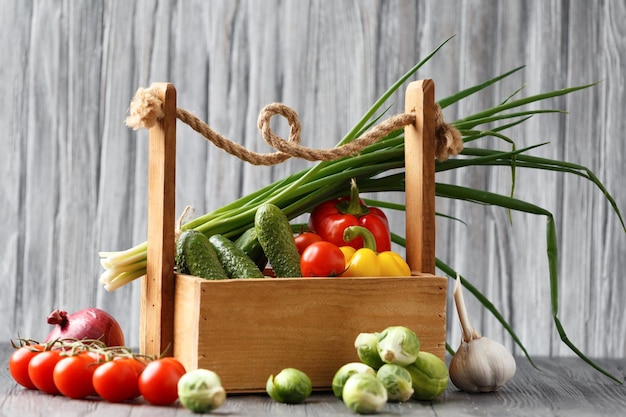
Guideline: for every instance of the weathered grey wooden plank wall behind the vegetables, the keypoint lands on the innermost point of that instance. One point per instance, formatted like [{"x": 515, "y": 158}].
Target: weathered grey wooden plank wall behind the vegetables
[{"x": 73, "y": 177}]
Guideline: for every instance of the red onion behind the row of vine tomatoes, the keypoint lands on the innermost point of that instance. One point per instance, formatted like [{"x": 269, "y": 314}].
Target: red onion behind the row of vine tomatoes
[{"x": 90, "y": 323}]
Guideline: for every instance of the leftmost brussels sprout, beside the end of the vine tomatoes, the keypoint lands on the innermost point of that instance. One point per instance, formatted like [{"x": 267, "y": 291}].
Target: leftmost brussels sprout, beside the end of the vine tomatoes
[{"x": 201, "y": 391}]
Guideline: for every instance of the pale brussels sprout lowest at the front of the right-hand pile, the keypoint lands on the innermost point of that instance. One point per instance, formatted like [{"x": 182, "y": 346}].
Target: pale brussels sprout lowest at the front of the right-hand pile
[{"x": 364, "y": 394}]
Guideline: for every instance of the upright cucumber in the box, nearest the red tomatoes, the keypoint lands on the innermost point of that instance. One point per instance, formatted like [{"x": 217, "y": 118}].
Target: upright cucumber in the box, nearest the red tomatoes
[{"x": 276, "y": 238}]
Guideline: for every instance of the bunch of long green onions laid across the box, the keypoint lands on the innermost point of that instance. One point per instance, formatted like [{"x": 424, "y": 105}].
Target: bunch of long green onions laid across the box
[{"x": 379, "y": 168}]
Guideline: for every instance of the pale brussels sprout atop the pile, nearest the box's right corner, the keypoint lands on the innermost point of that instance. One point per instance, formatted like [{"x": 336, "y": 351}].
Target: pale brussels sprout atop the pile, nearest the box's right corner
[{"x": 399, "y": 345}]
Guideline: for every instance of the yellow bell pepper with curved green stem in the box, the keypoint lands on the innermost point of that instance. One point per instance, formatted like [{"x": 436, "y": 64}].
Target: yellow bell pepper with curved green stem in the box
[{"x": 365, "y": 262}]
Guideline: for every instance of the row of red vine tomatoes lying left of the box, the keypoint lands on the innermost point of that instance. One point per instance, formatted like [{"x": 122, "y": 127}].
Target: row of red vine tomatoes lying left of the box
[{"x": 80, "y": 369}]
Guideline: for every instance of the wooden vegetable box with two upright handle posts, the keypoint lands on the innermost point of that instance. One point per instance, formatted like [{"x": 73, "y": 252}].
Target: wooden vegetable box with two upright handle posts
[{"x": 247, "y": 329}]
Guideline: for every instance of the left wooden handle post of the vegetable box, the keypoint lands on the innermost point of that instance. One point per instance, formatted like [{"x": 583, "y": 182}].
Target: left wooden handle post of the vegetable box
[{"x": 157, "y": 288}]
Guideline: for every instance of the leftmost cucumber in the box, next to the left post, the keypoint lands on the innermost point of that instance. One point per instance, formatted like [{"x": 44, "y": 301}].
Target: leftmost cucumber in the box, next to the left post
[{"x": 196, "y": 256}]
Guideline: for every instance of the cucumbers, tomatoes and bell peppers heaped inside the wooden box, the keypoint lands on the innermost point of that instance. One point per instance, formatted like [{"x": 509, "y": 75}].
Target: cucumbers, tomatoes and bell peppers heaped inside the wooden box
[{"x": 343, "y": 239}]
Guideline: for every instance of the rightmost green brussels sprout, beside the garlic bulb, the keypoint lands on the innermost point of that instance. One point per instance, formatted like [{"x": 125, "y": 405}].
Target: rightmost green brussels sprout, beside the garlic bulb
[{"x": 429, "y": 375}]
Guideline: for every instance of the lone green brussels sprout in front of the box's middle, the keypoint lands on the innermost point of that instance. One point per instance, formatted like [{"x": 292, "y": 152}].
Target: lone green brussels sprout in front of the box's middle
[{"x": 290, "y": 386}]
